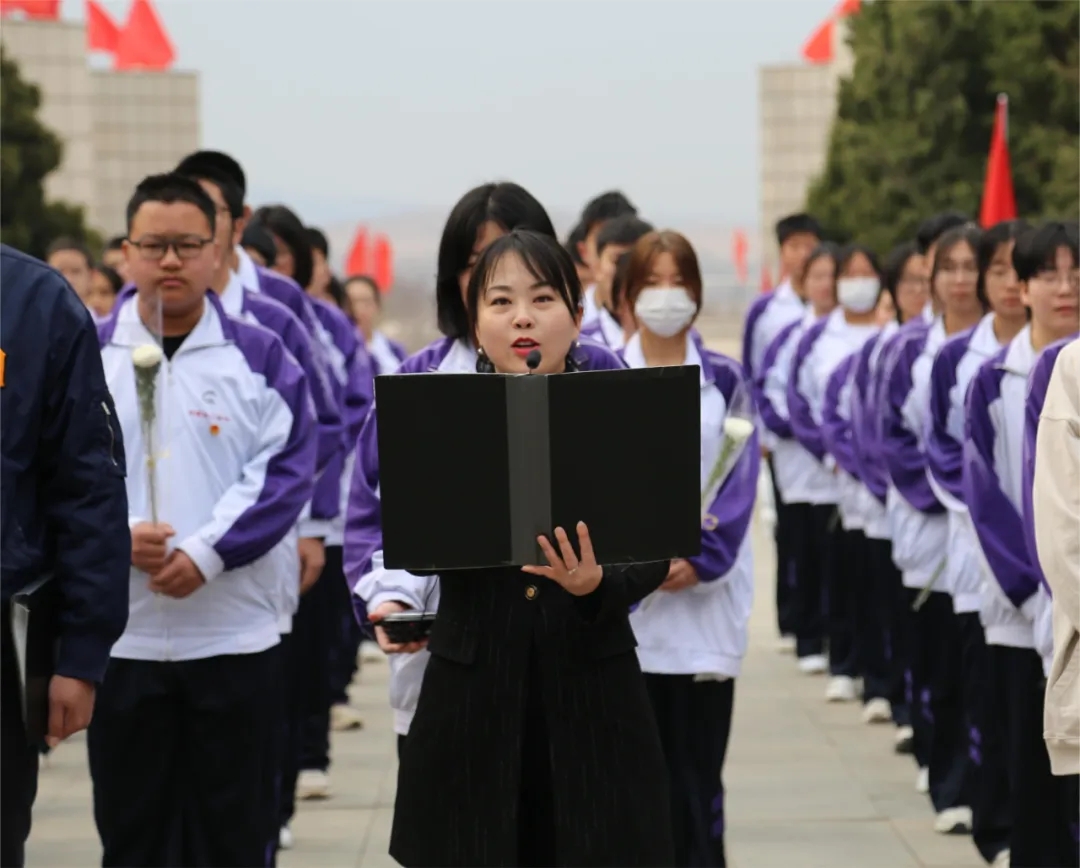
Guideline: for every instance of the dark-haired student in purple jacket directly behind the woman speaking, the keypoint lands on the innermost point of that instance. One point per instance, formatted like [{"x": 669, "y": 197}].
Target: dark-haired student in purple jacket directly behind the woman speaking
[{"x": 482, "y": 216}]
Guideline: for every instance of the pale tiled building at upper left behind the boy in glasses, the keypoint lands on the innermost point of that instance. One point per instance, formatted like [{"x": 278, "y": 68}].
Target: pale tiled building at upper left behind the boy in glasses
[{"x": 117, "y": 128}]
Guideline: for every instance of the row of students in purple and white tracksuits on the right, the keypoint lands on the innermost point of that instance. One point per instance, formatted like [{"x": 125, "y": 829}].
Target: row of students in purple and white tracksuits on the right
[{"x": 900, "y": 408}]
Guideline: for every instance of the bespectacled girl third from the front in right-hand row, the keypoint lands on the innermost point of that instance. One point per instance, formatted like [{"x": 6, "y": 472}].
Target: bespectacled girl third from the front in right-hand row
[{"x": 921, "y": 525}]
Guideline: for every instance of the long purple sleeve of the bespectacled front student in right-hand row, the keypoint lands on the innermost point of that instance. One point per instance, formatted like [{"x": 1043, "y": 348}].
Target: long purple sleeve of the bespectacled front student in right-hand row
[{"x": 997, "y": 523}]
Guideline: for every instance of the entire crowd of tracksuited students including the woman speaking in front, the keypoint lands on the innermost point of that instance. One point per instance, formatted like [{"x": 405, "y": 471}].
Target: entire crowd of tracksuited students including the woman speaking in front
[{"x": 899, "y": 432}]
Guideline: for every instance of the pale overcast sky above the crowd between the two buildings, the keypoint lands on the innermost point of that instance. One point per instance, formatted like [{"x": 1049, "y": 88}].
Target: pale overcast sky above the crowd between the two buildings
[{"x": 352, "y": 107}]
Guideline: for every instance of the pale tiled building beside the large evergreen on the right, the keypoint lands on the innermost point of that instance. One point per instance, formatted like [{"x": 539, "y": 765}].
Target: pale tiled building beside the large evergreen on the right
[{"x": 796, "y": 106}]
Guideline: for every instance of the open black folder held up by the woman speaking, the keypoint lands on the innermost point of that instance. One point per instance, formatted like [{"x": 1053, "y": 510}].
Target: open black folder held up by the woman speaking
[{"x": 472, "y": 468}]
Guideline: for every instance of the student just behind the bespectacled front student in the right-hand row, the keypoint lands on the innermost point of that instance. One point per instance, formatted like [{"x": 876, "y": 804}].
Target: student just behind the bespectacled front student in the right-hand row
[{"x": 956, "y": 364}]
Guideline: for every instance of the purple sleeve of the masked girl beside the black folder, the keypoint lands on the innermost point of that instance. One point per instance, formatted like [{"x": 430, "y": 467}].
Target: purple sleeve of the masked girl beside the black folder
[{"x": 728, "y": 519}]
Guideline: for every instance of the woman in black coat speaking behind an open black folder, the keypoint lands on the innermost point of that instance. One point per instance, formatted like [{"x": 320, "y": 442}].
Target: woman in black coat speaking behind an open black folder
[{"x": 534, "y": 701}]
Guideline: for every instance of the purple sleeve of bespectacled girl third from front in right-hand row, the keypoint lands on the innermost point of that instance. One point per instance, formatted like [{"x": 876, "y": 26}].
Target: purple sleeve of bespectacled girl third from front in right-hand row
[{"x": 904, "y": 458}]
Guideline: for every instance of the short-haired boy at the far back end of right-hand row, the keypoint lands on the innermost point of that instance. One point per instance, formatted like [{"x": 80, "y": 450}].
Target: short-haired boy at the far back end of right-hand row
[{"x": 798, "y": 236}]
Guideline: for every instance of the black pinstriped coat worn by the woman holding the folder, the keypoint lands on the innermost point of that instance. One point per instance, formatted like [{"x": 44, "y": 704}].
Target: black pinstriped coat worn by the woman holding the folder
[{"x": 460, "y": 780}]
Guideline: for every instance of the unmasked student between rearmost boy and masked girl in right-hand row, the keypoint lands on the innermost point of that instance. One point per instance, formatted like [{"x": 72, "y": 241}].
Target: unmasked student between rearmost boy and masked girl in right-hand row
[{"x": 796, "y": 471}]
